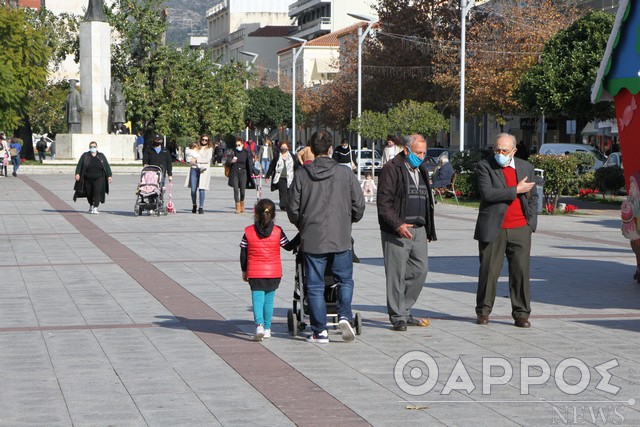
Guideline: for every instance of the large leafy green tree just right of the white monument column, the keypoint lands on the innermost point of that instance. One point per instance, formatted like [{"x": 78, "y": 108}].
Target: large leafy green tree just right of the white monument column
[{"x": 173, "y": 90}]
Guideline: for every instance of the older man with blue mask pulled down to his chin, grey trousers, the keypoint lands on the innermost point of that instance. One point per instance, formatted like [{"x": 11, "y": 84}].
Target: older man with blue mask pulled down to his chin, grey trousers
[{"x": 405, "y": 215}]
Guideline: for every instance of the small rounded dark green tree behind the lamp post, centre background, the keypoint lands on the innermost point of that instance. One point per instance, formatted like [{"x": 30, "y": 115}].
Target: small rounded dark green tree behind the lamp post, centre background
[{"x": 269, "y": 108}]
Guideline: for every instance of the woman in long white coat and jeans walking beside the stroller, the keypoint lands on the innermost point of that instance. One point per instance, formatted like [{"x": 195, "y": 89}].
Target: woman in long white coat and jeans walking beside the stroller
[{"x": 199, "y": 157}]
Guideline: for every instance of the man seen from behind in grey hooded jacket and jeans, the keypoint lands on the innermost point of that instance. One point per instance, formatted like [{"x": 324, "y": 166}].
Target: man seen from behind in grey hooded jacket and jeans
[{"x": 324, "y": 200}]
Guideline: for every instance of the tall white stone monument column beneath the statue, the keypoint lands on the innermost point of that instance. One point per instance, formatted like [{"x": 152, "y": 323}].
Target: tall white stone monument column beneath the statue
[{"x": 95, "y": 73}]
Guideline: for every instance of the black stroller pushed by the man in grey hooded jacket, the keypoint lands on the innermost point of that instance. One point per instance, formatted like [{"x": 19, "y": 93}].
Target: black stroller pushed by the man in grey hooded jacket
[{"x": 296, "y": 317}]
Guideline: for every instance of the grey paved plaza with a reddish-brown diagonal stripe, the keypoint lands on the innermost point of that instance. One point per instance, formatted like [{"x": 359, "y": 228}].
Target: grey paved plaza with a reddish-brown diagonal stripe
[{"x": 117, "y": 320}]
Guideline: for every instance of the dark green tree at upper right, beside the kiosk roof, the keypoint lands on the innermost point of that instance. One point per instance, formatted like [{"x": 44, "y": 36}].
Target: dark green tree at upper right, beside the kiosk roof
[{"x": 559, "y": 84}]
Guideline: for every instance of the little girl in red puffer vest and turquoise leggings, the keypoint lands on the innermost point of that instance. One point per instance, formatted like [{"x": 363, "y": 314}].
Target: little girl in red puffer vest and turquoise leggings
[{"x": 261, "y": 265}]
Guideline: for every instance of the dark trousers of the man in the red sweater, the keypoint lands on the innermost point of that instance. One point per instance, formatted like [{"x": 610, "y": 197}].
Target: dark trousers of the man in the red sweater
[{"x": 515, "y": 243}]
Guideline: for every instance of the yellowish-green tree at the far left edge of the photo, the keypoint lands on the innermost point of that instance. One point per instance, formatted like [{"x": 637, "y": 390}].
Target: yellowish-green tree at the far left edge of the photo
[{"x": 24, "y": 58}]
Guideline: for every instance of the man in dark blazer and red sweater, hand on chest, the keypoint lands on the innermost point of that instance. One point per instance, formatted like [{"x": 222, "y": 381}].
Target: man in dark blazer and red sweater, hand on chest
[{"x": 507, "y": 216}]
